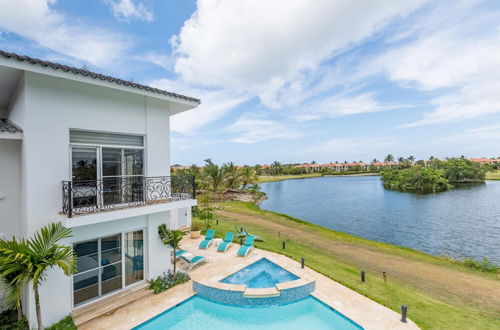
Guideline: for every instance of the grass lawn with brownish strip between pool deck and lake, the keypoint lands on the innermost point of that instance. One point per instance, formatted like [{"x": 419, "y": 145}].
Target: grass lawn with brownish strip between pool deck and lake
[{"x": 440, "y": 293}]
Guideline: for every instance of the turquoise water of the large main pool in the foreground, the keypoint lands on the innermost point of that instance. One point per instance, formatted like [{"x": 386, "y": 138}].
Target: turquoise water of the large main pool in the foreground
[{"x": 198, "y": 313}]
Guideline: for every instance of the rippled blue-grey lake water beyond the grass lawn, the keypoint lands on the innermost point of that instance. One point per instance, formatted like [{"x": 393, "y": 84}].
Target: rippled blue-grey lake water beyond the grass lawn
[{"x": 461, "y": 223}]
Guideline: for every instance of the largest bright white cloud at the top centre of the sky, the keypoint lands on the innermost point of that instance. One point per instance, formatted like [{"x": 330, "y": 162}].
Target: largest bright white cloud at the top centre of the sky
[{"x": 268, "y": 47}]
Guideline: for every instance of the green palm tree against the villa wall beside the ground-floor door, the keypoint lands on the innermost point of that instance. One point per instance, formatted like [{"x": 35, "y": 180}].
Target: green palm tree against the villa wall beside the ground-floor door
[{"x": 31, "y": 259}]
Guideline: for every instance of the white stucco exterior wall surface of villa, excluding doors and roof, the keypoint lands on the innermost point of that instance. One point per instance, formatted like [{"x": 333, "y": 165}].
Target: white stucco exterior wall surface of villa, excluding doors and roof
[{"x": 50, "y": 107}]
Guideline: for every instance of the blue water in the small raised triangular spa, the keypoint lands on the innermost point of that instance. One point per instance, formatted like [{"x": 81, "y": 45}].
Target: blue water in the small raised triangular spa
[{"x": 261, "y": 274}]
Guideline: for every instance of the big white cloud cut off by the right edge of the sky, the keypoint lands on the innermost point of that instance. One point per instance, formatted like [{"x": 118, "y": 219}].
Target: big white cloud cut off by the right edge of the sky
[{"x": 456, "y": 55}]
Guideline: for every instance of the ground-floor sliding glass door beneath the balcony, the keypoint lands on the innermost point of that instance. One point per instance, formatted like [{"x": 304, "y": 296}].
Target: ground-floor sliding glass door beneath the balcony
[{"x": 102, "y": 261}]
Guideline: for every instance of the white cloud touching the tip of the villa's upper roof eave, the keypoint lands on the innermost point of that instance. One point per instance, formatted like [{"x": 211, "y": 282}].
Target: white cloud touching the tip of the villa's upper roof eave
[{"x": 214, "y": 105}]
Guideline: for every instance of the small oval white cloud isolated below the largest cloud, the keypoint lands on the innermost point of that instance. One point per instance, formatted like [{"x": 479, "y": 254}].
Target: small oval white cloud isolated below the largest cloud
[{"x": 254, "y": 130}]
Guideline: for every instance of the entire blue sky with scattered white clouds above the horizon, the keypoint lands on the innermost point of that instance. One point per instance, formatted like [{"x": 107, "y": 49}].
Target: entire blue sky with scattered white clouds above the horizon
[{"x": 290, "y": 80}]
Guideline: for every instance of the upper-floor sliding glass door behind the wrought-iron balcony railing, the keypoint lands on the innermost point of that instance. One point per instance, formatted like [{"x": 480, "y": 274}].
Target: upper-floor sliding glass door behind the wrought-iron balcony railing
[{"x": 107, "y": 168}]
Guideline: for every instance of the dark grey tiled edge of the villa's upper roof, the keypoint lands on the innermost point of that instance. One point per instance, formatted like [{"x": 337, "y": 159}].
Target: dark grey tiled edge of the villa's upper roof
[{"x": 86, "y": 73}]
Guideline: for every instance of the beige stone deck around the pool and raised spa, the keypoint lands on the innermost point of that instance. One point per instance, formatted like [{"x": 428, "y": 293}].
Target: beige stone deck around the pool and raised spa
[{"x": 365, "y": 312}]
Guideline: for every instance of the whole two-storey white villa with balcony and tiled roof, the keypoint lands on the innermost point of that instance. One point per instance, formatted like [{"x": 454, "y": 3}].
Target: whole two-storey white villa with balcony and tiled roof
[{"x": 93, "y": 152}]
